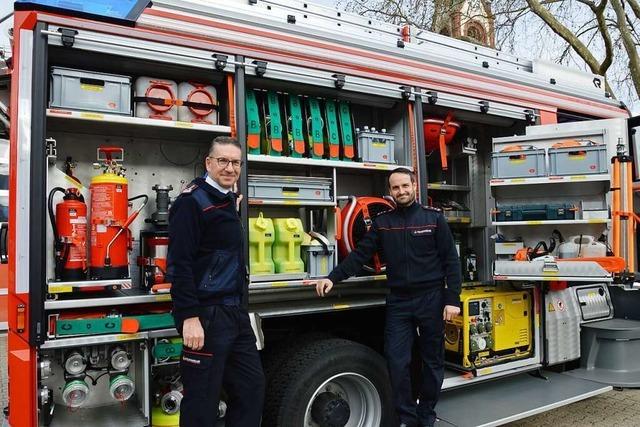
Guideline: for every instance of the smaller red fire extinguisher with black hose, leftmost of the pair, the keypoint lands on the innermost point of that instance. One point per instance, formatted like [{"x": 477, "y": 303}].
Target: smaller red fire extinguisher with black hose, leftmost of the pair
[{"x": 70, "y": 234}]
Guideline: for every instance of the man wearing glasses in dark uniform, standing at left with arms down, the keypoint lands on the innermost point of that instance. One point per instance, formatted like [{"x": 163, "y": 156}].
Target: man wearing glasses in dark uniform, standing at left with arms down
[{"x": 207, "y": 269}]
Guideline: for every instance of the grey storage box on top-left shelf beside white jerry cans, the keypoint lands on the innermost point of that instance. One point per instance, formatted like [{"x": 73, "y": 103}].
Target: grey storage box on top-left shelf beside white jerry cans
[{"x": 90, "y": 91}]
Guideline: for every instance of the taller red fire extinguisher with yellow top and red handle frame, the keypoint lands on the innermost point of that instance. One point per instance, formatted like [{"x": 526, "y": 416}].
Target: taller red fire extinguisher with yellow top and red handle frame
[{"x": 110, "y": 235}]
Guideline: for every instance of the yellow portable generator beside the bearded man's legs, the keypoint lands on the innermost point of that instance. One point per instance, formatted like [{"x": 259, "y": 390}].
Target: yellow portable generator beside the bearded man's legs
[{"x": 494, "y": 326}]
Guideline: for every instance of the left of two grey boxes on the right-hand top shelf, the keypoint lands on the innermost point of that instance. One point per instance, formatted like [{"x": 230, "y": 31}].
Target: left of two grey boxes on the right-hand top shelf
[{"x": 518, "y": 164}]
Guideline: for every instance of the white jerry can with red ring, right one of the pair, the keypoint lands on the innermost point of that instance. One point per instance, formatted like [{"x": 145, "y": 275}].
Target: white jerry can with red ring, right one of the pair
[{"x": 199, "y": 103}]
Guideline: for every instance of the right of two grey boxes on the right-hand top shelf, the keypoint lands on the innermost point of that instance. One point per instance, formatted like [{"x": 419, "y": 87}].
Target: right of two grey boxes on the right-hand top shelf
[{"x": 588, "y": 159}]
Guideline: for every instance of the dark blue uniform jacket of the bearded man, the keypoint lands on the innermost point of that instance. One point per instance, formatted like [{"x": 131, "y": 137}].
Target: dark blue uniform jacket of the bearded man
[{"x": 418, "y": 249}]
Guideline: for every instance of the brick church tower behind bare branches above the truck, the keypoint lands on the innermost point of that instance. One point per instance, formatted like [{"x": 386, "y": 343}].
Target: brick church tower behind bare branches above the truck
[{"x": 468, "y": 20}]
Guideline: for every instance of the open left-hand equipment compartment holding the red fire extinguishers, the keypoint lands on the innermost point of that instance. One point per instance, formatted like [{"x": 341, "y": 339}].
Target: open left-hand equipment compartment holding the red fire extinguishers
[{"x": 153, "y": 152}]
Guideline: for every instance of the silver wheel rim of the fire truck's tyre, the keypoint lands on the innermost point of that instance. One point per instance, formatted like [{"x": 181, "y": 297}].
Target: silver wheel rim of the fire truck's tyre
[{"x": 362, "y": 397}]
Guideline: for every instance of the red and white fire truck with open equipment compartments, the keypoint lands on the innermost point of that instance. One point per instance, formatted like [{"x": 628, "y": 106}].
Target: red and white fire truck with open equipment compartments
[{"x": 111, "y": 114}]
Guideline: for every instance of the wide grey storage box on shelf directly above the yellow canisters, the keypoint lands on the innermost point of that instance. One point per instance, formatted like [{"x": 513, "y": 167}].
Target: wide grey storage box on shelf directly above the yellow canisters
[{"x": 303, "y": 189}]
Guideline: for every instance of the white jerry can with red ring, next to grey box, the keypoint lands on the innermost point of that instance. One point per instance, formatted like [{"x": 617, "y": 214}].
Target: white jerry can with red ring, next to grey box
[{"x": 156, "y": 98}]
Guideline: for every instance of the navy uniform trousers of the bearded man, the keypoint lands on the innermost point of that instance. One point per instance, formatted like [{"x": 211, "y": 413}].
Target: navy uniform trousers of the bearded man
[{"x": 405, "y": 314}]
